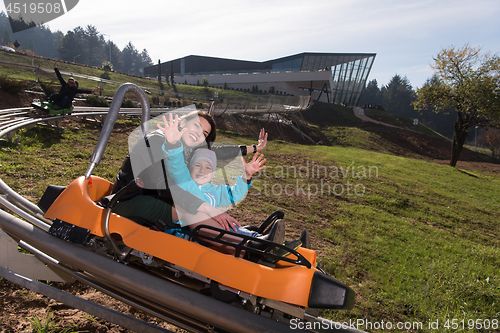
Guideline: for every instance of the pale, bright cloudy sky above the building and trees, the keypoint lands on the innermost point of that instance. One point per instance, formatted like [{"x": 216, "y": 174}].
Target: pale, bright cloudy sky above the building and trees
[{"x": 405, "y": 34}]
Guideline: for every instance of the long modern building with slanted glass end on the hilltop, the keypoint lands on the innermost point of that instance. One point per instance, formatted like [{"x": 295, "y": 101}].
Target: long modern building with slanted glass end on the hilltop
[{"x": 328, "y": 77}]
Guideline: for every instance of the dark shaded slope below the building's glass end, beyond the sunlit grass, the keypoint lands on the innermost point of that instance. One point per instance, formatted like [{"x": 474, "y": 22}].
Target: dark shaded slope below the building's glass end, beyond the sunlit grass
[{"x": 400, "y": 138}]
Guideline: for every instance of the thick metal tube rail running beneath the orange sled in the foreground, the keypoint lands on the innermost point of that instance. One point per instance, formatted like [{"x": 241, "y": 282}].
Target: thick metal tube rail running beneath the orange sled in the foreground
[{"x": 153, "y": 289}]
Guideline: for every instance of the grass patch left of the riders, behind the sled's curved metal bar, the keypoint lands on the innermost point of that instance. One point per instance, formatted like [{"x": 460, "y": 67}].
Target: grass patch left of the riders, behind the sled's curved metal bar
[{"x": 46, "y": 156}]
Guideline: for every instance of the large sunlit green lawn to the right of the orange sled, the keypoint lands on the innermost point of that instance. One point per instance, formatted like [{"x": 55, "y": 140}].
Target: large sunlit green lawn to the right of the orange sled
[{"x": 421, "y": 242}]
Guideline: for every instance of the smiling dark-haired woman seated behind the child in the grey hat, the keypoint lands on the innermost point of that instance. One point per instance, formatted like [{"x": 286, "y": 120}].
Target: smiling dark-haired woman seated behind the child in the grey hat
[{"x": 155, "y": 202}]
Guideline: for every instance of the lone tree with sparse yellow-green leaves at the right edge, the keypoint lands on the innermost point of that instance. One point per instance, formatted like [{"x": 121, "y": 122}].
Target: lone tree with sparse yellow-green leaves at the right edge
[{"x": 468, "y": 82}]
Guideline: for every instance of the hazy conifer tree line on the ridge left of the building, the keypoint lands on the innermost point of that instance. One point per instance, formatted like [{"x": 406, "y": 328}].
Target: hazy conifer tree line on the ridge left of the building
[{"x": 81, "y": 45}]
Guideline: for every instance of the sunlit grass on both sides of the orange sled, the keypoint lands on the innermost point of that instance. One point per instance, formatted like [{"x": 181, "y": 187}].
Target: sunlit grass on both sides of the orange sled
[{"x": 417, "y": 241}]
